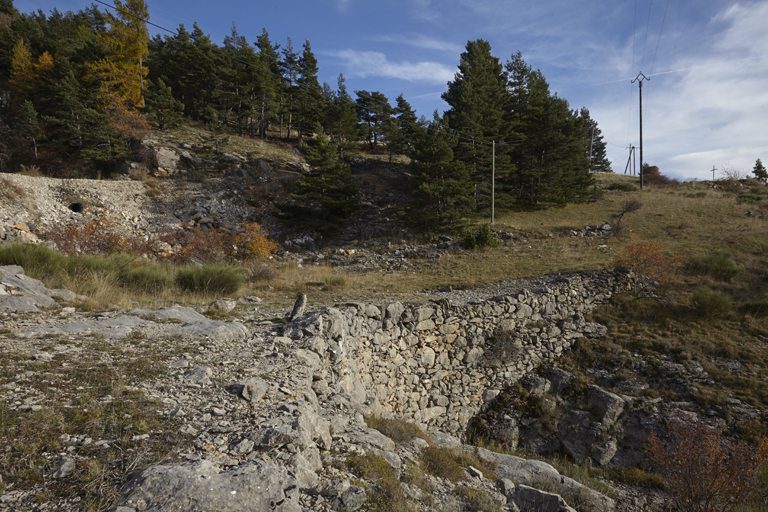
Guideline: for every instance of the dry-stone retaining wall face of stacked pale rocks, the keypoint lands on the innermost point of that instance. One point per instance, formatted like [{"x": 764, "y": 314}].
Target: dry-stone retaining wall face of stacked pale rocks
[{"x": 438, "y": 364}]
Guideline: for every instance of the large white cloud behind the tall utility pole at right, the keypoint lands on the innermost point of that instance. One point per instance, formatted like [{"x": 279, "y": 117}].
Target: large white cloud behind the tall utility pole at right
[{"x": 705, "y": 107}]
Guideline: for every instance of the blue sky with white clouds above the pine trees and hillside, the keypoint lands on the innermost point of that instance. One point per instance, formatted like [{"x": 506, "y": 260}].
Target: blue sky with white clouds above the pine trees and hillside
[{"x": 706, "y": 103}]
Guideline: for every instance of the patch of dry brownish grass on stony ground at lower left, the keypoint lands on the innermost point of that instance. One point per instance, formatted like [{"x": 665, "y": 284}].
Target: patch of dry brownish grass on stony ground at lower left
[{"x": 74, "y": 392}]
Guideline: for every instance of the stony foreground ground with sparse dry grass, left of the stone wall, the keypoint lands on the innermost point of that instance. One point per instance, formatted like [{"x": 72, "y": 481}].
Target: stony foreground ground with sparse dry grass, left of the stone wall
[{"x": 222, "y": 403}]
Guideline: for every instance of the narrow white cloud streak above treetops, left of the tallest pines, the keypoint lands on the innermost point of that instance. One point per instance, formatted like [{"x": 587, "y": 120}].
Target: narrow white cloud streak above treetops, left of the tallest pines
[{"x": 364, "y": 64}]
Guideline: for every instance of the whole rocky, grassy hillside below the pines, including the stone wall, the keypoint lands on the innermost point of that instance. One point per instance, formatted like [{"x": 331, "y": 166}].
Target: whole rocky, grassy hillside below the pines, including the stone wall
[{"x": 593, "y": 370}]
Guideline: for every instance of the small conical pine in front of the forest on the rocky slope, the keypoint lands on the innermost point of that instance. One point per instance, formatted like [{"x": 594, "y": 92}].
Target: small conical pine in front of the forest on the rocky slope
[{"x": 326, "y": 197}]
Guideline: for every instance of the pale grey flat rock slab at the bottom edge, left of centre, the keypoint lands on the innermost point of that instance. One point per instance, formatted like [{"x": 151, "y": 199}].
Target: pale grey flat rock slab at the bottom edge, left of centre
[{"x": 204, "y": 487}]
